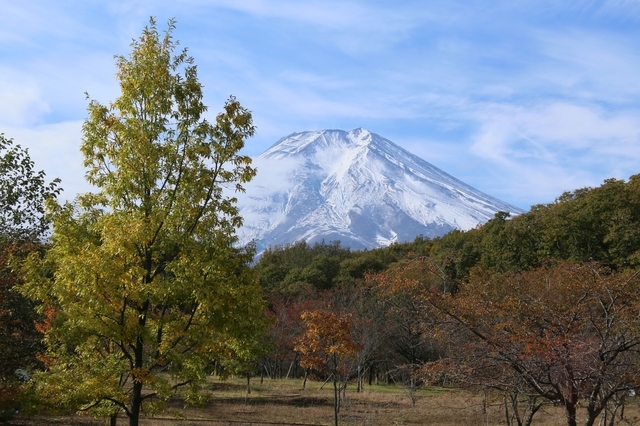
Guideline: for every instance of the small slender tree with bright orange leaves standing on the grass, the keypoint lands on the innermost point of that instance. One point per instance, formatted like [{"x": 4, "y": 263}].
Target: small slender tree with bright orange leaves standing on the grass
[{"x": 327, "y": 346}]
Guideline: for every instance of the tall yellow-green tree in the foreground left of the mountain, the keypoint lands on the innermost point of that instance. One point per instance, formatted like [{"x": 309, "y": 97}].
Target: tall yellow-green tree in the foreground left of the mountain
[{"x": 142, "y": 275}]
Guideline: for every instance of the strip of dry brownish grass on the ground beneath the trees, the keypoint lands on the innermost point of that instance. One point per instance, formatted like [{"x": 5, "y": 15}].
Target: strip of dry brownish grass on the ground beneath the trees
[{"x": 283, "y": 402}]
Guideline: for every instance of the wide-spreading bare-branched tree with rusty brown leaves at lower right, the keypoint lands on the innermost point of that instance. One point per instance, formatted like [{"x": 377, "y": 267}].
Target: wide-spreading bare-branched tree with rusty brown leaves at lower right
[{"x": 565, "y": 333}]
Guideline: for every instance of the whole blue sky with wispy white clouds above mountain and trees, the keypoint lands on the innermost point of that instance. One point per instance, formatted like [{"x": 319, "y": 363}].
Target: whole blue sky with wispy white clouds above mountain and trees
[{"x": 520, "y": 99}]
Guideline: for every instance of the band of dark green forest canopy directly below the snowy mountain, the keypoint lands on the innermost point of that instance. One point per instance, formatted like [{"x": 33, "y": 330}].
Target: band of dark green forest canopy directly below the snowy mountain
[{"x": 586, "y": 225}]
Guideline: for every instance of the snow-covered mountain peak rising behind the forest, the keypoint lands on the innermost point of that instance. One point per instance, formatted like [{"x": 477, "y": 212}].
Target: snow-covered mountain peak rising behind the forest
[{"x": 356, "y": 187}]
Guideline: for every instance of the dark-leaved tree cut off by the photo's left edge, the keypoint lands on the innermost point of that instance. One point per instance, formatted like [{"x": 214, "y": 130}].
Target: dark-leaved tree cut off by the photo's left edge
[{"x": 23, "y": 226}]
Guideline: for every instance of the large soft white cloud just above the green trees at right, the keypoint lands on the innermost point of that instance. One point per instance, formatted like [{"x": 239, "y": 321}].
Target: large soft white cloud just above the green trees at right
[{"x": 544, "y": 151}]
